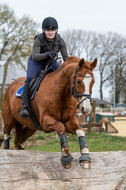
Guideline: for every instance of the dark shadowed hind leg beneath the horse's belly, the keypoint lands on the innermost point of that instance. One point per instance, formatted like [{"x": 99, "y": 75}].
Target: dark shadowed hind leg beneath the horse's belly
[{"x": 21, "y": 135}]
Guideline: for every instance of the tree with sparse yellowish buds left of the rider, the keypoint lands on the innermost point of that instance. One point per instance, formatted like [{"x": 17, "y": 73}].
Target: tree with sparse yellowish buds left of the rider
[{"x": 16, "y": 37}]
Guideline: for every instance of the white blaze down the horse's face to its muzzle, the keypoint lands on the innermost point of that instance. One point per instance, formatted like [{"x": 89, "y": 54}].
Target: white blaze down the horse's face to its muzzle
[{"x": 86, "y": 103}]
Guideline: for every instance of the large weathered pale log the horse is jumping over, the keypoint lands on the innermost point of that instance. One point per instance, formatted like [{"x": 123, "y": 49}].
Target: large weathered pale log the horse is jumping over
[{"x": 32, "y": 170}]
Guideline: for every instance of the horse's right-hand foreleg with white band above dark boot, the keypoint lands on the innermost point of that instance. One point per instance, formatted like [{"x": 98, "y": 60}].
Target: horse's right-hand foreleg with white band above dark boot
[{"x": 72, "y": 126}]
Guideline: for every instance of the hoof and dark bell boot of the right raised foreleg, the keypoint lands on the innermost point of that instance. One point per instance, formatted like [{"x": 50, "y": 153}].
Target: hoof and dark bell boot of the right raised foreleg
[{"x": 85, "y": 161}]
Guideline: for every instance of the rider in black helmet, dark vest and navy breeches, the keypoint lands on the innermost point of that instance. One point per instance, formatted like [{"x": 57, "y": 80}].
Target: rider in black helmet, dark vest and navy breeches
[{"x": 45, "y": 48}]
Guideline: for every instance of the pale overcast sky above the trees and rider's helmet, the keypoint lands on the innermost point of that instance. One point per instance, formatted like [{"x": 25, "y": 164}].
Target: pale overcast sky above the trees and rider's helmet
[{"x": 95, "y": 15}]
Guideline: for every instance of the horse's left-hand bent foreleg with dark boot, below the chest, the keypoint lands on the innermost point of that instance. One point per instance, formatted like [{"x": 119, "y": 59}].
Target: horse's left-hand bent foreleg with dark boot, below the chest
[{"x": 49, "y": 125}]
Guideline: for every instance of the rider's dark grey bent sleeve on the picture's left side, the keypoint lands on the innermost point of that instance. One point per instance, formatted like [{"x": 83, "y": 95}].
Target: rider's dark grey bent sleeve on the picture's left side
[{"x": 36, "y": 55}]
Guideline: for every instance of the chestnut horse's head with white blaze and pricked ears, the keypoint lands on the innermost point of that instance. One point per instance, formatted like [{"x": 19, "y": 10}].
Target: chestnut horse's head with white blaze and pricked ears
[{"x": 83, "y": 83}]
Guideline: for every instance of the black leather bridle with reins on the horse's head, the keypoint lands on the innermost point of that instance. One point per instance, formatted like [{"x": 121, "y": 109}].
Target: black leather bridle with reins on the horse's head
[{"x": 73, "y": 91}]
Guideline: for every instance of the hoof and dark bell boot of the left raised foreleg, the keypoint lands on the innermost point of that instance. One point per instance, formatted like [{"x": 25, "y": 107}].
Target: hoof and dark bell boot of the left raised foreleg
[{"x": 66, "y": 161}]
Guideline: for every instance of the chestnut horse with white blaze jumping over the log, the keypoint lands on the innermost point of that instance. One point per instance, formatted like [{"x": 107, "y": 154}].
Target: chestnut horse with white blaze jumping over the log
[{"x": 55, "y": 105}]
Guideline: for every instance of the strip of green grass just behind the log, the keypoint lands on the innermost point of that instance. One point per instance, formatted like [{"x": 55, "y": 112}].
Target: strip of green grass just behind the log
[{"x": 97, "y": 142}]
